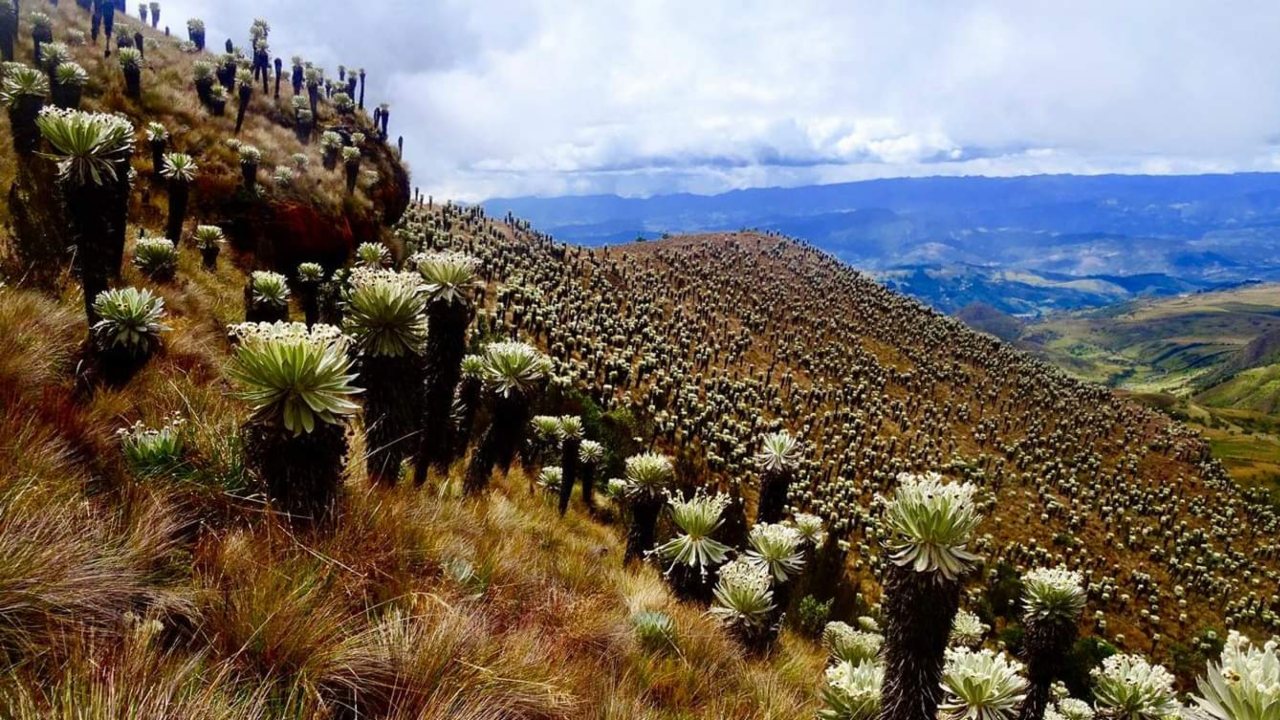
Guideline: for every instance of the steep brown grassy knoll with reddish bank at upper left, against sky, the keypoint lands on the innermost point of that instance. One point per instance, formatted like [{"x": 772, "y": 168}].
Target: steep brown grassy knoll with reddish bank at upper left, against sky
[{"x": 313, "y": 217}]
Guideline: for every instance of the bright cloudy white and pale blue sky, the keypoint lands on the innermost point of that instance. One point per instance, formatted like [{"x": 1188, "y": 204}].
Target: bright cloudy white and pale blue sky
[{"x": 639, "y": 98}]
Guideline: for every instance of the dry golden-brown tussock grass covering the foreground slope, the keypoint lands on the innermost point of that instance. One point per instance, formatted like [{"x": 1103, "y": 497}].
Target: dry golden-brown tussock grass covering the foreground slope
[{"x": 179, "y": 594}]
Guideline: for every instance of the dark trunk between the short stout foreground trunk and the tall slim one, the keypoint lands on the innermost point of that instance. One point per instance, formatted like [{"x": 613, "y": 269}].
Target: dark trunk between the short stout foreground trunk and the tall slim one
[{"x": 394, "y": 404}]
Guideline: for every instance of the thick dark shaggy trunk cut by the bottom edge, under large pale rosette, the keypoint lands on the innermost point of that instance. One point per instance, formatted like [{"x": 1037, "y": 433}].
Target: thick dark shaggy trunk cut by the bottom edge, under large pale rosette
[{"x": 918, "y": 610}]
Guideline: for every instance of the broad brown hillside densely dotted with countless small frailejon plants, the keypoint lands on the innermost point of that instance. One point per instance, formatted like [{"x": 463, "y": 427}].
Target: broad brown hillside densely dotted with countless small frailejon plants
[{"x": 712, "y": 340}]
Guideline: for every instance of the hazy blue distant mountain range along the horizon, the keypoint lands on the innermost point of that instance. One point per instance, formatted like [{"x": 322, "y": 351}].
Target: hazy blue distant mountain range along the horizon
[{"x": 1025, "y": 245}]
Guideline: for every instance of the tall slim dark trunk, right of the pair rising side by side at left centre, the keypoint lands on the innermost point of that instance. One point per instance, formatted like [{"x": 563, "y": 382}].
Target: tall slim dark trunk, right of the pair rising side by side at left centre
[{"x": 446, "y": 345}]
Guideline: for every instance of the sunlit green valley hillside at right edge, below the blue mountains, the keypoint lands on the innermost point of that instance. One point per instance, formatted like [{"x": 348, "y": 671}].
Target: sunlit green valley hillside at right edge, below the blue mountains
[{"x": 1208, "y": 358}]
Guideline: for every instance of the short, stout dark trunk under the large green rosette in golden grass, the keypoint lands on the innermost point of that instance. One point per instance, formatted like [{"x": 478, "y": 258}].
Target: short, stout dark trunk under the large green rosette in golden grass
[{"x": 301, "y": 475}]
